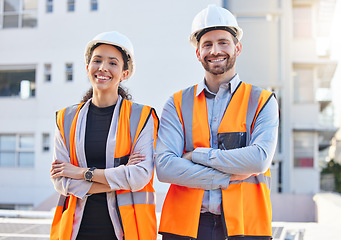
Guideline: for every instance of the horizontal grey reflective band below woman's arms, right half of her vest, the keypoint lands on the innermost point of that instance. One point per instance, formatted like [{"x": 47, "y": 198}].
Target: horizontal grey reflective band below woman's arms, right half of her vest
[{"x": 134, "y": 198}]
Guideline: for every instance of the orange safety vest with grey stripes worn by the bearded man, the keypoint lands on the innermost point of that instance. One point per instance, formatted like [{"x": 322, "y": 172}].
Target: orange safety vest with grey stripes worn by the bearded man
[{"x": 246, "y": 205}]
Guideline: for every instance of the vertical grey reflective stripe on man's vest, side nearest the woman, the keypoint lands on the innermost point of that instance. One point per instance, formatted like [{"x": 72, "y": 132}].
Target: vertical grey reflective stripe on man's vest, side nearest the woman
[{"x": 187, "y": 116}]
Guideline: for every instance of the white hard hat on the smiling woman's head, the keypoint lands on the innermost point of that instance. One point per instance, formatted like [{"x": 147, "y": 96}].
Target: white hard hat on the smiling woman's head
[{"x": 116, "y": 39}]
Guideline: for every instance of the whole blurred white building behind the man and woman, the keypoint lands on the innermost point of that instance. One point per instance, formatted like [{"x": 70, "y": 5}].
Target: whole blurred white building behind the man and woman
[{"x": 285, "y": 50}]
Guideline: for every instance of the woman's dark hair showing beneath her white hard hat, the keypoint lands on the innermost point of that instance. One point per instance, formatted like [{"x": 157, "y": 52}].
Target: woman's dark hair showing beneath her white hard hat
[{"x": 123, "y": 92}]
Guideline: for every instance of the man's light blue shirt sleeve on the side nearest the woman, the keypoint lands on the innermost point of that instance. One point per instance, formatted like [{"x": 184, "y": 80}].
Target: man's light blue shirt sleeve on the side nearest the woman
[{"x": 171, "y": 168}]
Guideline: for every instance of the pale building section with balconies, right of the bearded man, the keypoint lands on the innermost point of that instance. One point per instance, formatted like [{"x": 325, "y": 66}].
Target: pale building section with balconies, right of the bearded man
[{"x": 287, "y": 43}]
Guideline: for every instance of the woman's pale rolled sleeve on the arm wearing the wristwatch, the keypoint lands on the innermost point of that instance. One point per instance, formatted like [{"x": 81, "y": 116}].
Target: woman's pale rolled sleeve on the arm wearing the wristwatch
[{"x": 135, "y": 177}]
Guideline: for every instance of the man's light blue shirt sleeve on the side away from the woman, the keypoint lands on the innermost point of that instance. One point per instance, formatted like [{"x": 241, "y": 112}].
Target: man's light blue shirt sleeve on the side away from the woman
[{"x": 253, "y": 159}]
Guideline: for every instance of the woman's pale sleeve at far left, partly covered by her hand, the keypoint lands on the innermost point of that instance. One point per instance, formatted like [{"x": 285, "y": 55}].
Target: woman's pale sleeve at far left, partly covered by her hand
[{"x": 64, "y": 185}]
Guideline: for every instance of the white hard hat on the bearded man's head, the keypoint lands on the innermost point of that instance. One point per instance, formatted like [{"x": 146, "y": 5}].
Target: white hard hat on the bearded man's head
[{"x": 214, "y": 17}]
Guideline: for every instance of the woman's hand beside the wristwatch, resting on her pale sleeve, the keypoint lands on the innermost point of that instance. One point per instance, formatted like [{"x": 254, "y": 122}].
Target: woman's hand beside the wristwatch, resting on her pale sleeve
[{"x": 65, "y": 169}]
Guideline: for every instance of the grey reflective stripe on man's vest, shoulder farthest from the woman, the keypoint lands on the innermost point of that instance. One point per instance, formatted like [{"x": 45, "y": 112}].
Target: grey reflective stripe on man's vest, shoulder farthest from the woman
[{"x": 251, "y": 110}]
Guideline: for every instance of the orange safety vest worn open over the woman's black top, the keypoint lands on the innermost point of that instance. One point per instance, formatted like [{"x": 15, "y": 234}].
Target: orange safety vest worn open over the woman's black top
[{"x": 136, "y": 210}]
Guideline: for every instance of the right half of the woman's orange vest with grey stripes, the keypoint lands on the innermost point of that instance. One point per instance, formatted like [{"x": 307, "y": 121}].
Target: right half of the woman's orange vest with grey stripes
[{"x": 136, "y": 210}]
